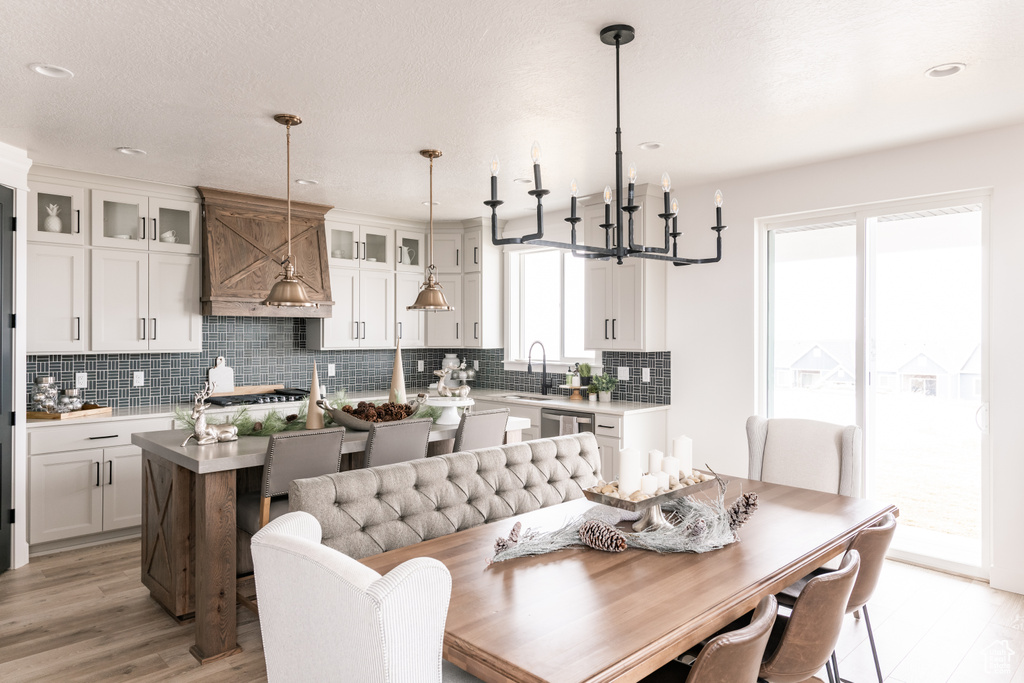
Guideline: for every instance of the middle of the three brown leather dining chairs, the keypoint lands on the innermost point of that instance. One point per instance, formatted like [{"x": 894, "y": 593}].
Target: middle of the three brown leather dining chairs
[{"x": 803, "y": 642}]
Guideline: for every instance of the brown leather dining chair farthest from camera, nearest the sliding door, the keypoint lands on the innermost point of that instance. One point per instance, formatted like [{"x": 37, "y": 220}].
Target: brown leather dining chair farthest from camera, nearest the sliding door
[{"x": 872, "y": 543}]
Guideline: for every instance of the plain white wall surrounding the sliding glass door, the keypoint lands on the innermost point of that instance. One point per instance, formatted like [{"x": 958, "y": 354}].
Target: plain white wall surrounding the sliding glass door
[{"x": 713, "y": 310}]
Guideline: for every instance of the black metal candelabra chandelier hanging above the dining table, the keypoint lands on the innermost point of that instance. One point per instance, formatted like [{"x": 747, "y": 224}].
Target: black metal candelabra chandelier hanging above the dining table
[{"x": 617, "y": 35}]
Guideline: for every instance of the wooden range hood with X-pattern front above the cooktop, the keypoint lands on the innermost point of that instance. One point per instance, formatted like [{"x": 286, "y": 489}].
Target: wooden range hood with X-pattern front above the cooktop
[{"x": 245, "y": 238}]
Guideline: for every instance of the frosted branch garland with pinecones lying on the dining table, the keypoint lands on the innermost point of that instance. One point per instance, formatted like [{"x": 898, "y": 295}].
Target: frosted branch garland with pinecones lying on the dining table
[{"x": 699, "y": 527}]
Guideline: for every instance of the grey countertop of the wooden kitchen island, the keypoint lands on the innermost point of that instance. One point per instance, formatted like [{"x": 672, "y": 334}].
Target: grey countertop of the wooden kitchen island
[{"x": 251, "y": 451}]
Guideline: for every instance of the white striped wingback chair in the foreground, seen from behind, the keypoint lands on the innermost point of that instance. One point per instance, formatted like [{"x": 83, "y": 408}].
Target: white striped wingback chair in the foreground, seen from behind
[{"x": 326, "y": 617}]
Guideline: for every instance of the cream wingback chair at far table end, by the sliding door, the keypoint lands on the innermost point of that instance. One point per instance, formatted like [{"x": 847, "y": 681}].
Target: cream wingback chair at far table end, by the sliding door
[{"x": 807, "y": 454}]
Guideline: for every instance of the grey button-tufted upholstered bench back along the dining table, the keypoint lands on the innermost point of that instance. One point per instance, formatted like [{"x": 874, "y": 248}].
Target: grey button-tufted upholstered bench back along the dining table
[{"x": 373, "y": 510}]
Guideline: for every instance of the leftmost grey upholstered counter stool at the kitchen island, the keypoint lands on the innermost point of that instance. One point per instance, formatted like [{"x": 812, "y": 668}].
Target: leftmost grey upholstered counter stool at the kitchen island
[{"x": 296, "y": 455}]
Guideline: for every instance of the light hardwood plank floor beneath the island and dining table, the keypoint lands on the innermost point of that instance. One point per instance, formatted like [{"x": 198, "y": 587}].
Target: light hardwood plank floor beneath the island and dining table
[{"x": 84, "y": 616}]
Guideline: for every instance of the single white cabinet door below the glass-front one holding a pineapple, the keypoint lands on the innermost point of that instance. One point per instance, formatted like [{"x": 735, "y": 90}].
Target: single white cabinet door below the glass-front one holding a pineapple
[{"x": 57, "y": 300}]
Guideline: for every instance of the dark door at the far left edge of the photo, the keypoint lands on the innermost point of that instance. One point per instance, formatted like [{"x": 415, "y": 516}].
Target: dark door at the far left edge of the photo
[{"x": 7, "y": 372}]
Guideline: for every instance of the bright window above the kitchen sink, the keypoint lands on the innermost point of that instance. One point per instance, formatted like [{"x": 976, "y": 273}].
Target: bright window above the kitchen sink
[{"x": 546, "y": 305}]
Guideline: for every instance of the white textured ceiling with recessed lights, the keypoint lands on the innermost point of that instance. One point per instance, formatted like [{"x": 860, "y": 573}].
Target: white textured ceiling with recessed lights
[{"x": 730, "y": 88}]
